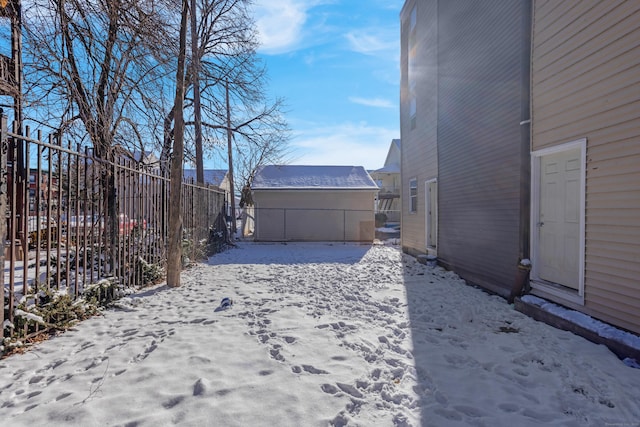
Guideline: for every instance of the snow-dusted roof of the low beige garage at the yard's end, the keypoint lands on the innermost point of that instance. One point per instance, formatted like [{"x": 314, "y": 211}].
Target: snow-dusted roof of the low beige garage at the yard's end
[{"x": 312, "y": 177}]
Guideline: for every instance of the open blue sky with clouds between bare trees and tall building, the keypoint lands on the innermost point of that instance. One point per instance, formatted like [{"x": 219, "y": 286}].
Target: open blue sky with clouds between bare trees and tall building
[{"x": 336, "y": 64}]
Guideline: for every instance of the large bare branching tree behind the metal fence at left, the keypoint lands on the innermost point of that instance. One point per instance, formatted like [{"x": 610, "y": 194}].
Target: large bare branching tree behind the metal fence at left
[{"x": 91, "y": 67}]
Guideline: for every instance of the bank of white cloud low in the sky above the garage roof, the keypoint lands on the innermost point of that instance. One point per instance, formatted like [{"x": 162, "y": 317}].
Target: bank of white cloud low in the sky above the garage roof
[{"x": 348, "y": 144}]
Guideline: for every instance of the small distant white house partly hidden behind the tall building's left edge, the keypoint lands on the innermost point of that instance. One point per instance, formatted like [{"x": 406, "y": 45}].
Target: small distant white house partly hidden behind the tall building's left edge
[{"x": 388, "y": 180}]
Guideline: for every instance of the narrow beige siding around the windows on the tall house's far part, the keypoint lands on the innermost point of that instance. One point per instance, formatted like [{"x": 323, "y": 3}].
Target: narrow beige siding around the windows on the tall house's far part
[{"x": 419, "y": 145}]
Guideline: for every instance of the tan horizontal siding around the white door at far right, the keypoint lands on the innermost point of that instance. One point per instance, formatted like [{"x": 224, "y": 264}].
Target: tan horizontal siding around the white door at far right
[{"x": 586, "y": 84}]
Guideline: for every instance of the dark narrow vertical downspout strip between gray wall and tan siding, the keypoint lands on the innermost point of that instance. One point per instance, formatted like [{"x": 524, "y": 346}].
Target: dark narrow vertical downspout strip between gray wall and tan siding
[{"x": 521, "y": 282}]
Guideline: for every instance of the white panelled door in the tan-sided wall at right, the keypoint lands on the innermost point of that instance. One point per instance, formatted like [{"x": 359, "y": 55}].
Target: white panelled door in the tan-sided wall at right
[{"x": 559, "y": 218}]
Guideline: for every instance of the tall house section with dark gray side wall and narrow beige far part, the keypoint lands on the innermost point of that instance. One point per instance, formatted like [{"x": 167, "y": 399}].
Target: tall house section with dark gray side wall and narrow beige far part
[{"x": 465, "y": 150}]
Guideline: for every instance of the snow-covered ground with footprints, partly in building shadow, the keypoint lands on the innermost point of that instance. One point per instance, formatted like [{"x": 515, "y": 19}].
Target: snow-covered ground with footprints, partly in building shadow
[{"x": 318, "y": 335}]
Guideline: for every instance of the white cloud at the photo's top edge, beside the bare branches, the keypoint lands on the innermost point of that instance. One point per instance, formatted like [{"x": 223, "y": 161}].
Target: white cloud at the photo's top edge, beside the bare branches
[{"x": 280, "y": 23}]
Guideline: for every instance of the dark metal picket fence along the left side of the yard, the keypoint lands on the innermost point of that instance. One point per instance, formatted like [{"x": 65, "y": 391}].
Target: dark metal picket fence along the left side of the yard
[{"x": 75, "y": 223}]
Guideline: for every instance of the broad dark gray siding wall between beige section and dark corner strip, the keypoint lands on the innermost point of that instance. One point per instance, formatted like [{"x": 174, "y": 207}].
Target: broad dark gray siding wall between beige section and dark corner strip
[{"x": 482, "y": 149}]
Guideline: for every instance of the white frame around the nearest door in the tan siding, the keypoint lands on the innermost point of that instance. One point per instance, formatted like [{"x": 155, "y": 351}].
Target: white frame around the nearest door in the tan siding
[{"x": 567, "y": 294}]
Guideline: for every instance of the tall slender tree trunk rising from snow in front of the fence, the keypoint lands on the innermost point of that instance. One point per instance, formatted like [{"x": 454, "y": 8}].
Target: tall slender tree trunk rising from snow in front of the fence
[{"x": 174, "y": 247}]
